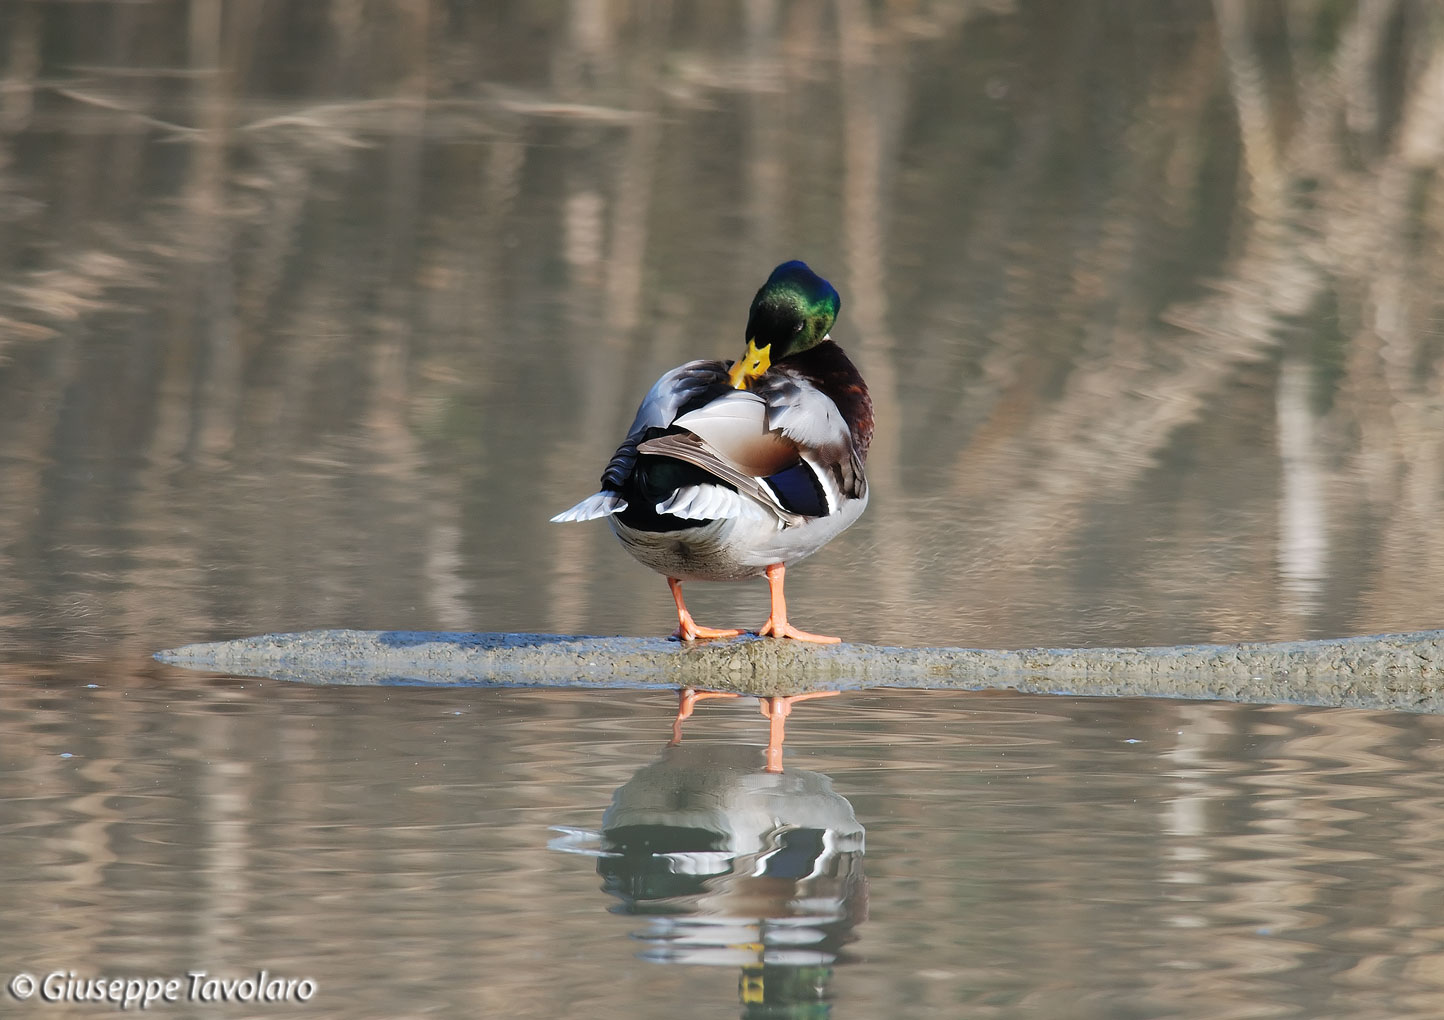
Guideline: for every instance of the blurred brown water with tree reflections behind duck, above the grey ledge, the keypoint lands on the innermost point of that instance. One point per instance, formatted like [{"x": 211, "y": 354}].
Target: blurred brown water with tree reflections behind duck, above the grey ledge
[{"x": 314, "y": 313}]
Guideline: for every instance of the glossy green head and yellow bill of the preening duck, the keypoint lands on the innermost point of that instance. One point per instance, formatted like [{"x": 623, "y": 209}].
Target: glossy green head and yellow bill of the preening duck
[{"x": 792, "y": 313}]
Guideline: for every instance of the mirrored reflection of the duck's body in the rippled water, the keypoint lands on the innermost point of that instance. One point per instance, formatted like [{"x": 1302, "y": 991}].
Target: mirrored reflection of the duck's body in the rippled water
[{"x": 737, "y": 868}]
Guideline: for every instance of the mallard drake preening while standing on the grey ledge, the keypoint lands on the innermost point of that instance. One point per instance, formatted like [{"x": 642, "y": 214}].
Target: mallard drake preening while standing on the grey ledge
[{"x": 740, "y": 469}]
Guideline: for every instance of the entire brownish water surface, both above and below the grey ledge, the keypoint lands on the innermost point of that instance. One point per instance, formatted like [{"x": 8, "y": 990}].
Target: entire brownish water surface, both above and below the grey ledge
[{"x": 313, "y": 314}]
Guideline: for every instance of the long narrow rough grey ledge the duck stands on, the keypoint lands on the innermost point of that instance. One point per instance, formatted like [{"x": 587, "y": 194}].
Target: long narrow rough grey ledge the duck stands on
[{"x": 1381, "y": 671}]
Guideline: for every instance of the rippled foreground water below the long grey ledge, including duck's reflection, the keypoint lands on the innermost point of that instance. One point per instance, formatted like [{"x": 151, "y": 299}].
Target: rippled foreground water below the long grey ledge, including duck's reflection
[{"x": 923, "y": 855}]
